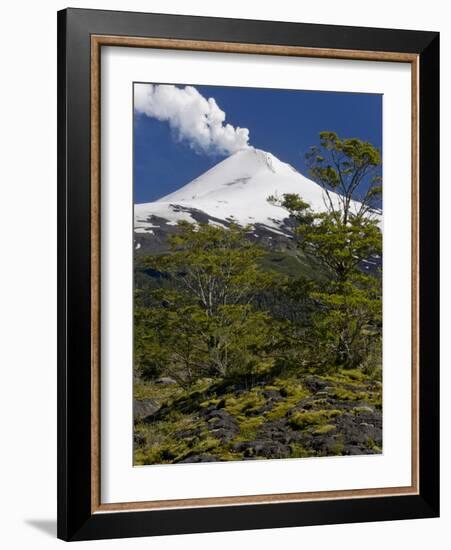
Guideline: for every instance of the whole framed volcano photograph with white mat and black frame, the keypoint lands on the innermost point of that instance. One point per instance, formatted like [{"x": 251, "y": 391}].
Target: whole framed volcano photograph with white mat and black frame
[{"x": 248, "y": 274}]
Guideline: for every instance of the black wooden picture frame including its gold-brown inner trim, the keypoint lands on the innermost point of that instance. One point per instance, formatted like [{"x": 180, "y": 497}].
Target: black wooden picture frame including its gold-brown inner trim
[{"x": 81, "y": 35}]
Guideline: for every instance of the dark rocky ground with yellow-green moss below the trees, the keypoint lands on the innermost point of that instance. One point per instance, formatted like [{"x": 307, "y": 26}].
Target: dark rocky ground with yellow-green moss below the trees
[{"x": 286, "y": 417}]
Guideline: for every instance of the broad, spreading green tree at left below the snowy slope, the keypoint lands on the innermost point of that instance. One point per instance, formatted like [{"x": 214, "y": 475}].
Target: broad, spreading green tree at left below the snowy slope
[{"x": 205, "y": 324}]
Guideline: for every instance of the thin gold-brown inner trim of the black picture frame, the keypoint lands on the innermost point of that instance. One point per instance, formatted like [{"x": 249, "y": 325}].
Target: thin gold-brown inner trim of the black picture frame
[{"x": 97, "y": 41}]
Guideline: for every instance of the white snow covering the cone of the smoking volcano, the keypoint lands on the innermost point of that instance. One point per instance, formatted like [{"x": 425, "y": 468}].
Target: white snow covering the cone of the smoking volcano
[{"x": 236, "y": 189}]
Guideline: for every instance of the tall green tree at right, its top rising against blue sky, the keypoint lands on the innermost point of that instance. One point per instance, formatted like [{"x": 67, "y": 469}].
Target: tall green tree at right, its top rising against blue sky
[{"x": 346, "y": 324}]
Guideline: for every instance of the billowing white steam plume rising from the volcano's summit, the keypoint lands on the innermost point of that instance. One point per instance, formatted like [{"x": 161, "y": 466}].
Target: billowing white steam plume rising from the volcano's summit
[{"x": 192, "y": 117}]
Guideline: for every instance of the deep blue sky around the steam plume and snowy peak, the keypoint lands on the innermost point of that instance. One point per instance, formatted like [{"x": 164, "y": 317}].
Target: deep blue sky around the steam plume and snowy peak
[{"x": 283, "y": 122}]
